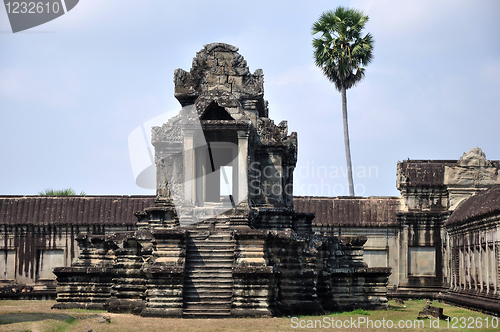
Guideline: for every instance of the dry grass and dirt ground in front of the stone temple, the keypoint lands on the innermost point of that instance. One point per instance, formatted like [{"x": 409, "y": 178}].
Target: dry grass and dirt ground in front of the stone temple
[{"x": 37, "y": 316}]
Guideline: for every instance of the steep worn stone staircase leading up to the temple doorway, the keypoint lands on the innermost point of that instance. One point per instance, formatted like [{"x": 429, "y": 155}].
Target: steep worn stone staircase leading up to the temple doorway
[{"x": 208, "y": 281}]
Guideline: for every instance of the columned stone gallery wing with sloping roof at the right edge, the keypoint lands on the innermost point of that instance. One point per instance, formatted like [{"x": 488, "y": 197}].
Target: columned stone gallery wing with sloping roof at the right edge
[{"x": 474, "y": 242}]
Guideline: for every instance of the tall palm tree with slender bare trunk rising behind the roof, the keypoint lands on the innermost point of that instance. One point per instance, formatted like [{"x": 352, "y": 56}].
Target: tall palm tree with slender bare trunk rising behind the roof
[{"x": 340, "y": 52}]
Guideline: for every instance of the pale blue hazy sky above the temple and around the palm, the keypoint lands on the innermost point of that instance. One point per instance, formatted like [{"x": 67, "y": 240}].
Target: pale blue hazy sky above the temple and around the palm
[{"x": 72, "y": 90}]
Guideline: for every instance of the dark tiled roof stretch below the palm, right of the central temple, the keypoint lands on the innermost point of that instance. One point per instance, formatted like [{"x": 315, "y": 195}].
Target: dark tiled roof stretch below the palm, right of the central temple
[{"x": 350, "y": 211}]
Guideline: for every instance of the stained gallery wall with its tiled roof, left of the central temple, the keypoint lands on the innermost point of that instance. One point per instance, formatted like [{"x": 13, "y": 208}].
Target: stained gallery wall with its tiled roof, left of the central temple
[{"x": 39, "y": 233}]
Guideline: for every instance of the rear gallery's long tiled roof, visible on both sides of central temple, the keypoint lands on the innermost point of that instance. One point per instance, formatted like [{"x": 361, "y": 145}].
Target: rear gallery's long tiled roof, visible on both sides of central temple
[{"x": 118, "y": 210}]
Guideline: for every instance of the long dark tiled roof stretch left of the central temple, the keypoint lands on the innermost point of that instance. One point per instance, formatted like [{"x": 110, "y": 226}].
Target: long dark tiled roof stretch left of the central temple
[{"x": 112, "y": 210}]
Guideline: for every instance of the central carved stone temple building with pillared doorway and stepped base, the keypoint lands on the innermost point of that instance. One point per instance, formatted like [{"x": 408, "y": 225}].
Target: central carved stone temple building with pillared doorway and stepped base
[{"x": 222, "y": 237}]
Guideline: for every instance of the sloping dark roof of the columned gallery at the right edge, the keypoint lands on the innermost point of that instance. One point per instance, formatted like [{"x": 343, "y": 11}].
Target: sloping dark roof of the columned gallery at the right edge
[{"x": 481, "y": 205}]
